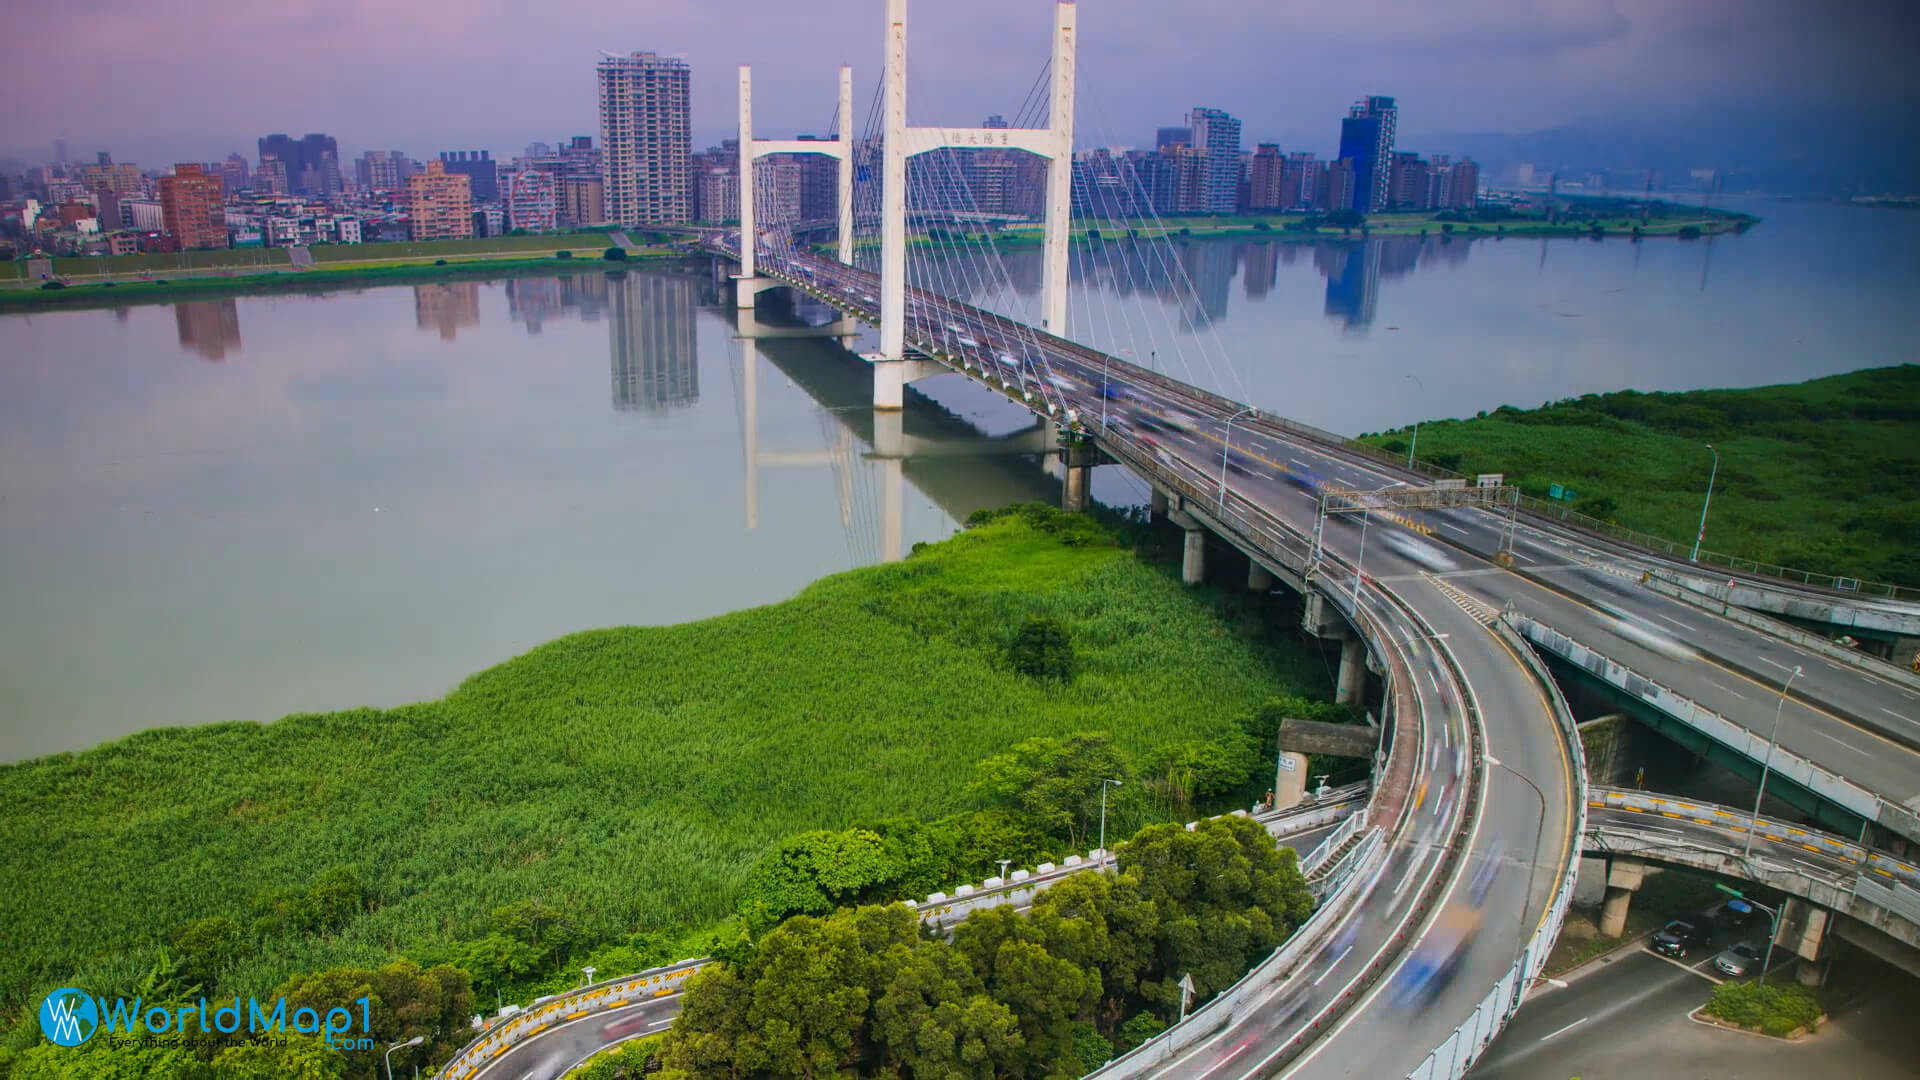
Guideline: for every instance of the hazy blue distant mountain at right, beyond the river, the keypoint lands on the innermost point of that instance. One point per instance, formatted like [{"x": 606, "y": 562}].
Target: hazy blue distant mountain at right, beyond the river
[{"x": 1783, "y": 151}]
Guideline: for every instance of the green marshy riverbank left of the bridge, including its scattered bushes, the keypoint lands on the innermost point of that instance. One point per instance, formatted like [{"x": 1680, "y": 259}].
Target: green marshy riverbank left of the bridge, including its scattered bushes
[{"x": 608, "y": 798}]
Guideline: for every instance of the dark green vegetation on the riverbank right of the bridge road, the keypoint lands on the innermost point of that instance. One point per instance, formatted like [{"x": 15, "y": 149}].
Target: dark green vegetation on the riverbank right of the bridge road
[{"x": 1817, "y": 476}]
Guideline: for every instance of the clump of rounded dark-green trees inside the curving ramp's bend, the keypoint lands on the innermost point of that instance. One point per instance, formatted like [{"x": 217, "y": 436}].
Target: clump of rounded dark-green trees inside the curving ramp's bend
[{"x": 1092, "y": 970}]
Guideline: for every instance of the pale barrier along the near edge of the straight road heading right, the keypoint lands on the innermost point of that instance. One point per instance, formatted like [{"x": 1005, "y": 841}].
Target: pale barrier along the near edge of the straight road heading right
[{"x": 1787, "y": 764}]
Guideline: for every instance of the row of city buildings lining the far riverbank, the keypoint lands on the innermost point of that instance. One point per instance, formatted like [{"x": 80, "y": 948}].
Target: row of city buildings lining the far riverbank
[{"x": 644, "y": 172}]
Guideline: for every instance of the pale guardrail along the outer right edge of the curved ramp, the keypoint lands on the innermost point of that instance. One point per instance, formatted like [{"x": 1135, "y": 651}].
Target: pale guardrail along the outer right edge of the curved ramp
[{"x": 1458, "y": 1052}]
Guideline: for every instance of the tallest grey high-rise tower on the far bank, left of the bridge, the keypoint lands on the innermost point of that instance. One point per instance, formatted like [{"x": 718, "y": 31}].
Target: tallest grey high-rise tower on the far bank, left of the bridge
[{"x": 646, "y": 139}]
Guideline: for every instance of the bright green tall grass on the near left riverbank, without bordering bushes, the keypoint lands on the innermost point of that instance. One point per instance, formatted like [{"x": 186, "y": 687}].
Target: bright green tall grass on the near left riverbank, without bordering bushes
[{"x": 629, "y": 777}]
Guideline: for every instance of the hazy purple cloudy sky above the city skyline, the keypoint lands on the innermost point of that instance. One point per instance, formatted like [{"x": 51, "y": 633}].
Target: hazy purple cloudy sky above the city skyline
[{"x": 155, "y": 80}]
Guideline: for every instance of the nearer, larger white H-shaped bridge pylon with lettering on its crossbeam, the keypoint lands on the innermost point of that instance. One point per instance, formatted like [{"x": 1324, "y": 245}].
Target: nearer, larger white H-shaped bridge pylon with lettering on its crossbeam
[{"x": 1055, "y": 143}]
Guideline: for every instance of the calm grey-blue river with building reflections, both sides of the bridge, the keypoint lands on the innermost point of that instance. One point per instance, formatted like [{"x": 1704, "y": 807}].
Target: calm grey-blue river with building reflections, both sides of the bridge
[{"x": 233, "y": 510}]
